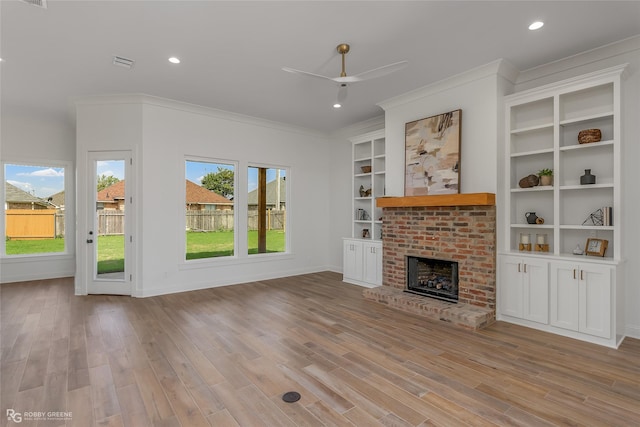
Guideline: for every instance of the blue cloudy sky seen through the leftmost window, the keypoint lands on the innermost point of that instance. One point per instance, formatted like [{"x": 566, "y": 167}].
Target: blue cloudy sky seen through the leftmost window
[{"x": 40, "y": 181}]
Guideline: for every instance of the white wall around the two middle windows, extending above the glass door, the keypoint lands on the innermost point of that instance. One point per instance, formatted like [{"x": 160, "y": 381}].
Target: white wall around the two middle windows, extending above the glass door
[{"x": 169, "y": 132}]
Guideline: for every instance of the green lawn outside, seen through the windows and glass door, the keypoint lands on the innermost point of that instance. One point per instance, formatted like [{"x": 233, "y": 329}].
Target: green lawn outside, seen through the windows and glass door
[{"x": 111, "y": 248}]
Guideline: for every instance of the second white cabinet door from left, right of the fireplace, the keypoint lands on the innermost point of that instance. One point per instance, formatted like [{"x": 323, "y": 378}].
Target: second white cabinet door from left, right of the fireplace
[{"x": 536, "y": 290}]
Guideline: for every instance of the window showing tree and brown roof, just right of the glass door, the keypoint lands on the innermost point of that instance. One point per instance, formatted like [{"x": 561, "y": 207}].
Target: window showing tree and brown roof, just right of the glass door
[{"x": 209, "y": 208}]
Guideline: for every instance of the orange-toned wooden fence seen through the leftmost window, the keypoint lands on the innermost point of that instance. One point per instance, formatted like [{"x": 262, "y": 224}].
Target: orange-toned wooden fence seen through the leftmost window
[{"x": 23, "y": 224}]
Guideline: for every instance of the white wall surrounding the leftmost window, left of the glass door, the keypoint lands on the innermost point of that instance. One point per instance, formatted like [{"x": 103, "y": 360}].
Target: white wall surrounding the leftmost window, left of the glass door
[{"x": 40, "y": 139}]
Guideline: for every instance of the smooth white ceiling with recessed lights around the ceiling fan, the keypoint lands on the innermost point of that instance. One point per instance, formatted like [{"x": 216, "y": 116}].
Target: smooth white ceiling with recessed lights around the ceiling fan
[{"x": 232, "y": 52}]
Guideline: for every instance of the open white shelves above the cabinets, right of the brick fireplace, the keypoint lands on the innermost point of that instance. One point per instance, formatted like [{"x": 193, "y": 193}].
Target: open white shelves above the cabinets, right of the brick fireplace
[{"x": 542, "y": 132}]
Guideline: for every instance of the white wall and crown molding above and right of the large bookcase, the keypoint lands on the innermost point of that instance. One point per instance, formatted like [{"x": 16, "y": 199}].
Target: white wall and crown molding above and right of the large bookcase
[{"x": 625, "y": 51}]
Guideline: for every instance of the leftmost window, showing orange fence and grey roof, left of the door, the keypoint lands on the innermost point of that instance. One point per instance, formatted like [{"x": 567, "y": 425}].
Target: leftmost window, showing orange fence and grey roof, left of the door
[{"x": 34, "y": 209}]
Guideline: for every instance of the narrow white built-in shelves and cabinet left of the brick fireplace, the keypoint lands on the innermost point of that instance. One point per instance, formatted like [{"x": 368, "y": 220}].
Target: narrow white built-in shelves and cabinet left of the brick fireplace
[{"x": 362, "y": 260}]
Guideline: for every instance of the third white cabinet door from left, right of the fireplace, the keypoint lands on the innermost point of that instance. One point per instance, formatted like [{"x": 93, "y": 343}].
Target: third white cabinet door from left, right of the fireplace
[{"x": 563, "y": 299}]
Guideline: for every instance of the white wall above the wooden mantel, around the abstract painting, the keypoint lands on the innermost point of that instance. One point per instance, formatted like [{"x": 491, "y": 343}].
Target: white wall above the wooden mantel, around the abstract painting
[{"x": 478, "y": 94}]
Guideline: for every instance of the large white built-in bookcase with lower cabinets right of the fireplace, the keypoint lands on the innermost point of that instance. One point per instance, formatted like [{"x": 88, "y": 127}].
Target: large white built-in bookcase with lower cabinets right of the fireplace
[{"x": 573, "y": 295}]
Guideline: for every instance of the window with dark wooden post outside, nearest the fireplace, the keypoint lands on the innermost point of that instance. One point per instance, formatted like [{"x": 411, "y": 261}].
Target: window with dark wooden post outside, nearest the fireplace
[{"x": 266, "y": 210}]
